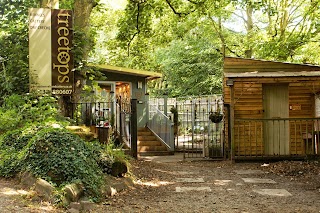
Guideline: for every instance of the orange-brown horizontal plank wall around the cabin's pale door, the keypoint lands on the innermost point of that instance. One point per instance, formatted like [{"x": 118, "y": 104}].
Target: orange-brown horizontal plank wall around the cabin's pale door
[{"x": 249, "y": 104}]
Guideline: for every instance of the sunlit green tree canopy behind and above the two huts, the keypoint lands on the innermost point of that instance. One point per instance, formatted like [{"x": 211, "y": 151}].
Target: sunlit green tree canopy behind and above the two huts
[{"x": 159, "y": 38}]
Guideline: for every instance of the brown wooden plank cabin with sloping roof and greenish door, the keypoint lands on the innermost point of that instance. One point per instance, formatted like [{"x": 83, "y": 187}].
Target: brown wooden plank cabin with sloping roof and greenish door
[{"x": 272, "y": 108}]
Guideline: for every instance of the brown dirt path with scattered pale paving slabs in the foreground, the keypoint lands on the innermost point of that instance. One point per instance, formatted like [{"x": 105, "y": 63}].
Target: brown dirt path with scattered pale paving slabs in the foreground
[{"x": 207, "y": 186}]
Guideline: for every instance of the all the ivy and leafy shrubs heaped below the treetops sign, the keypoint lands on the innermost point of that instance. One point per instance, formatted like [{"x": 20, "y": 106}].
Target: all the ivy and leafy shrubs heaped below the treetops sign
[{"x": 37, "y": 141}]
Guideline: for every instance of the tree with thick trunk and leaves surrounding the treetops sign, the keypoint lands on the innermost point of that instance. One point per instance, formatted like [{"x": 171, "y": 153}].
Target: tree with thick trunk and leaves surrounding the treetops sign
[{"x": 14, "y": 41}]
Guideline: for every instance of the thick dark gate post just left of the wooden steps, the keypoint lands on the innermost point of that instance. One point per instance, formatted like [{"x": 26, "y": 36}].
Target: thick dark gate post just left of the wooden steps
[{"x": 134, "y": 129}]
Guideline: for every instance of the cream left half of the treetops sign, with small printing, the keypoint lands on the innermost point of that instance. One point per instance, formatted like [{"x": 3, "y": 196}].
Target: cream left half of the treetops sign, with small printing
[{"x": 40, "y": 49}]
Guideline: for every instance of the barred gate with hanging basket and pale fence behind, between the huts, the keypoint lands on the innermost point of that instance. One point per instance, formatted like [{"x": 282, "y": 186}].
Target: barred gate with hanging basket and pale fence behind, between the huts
[{"x": 199, "y": 128}]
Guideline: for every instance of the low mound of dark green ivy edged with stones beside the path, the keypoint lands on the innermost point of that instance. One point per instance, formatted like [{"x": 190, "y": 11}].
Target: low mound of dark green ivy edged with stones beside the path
[{"x": 55, "y": 155}]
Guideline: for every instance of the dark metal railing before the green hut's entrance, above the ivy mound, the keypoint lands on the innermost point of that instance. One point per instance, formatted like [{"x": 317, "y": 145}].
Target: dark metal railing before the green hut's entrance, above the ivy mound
[{"x": 111, "y": 120}]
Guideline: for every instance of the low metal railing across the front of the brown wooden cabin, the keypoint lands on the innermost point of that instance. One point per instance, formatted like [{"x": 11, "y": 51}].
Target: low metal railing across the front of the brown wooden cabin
[{"x": 286, "y": 137}]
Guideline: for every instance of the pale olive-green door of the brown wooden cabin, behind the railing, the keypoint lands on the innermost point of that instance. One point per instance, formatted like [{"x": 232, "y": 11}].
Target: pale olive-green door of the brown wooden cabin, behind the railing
[{"x": 276, "y": 131}]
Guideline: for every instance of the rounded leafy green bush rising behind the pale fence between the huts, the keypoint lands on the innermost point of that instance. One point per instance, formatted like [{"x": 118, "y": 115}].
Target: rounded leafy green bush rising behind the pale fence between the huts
[{"x": 191, "y": 67}]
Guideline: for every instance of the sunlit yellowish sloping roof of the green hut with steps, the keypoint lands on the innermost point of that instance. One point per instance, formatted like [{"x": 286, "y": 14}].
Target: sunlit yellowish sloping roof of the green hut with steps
[{"x": 128, "y": 71}]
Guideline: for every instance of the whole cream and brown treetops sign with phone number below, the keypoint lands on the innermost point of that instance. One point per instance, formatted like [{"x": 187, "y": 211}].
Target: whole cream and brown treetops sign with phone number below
[{"x": 50, "y": 44}]
